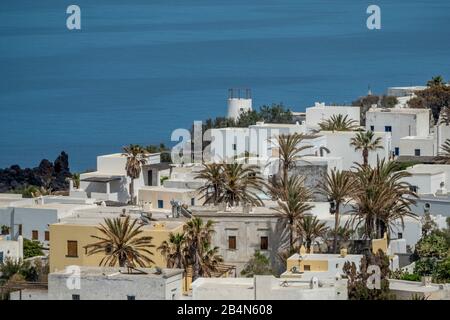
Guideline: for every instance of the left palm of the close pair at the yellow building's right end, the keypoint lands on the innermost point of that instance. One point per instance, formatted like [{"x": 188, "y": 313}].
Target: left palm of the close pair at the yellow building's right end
[{"x": 175, "y": 251}]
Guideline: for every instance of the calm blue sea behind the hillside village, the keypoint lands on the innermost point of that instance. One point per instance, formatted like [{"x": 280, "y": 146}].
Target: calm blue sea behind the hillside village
[{"x": 139, "y": 69}]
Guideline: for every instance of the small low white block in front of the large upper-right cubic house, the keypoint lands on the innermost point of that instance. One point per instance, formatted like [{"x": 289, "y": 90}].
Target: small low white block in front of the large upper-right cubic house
[{"x": 418, "y": 146}]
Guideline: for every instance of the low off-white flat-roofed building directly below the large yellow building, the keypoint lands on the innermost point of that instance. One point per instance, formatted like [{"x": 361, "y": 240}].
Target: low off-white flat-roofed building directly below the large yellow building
[{"x": 98, "y": 283}]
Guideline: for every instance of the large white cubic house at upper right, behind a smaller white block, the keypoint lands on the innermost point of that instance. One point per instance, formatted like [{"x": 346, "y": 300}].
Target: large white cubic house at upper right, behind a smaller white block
[{"x": 400, "y": 123}]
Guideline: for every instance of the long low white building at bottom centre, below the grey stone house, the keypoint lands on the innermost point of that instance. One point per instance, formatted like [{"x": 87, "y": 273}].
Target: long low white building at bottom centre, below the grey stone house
[{"x": 268, "y": 288}]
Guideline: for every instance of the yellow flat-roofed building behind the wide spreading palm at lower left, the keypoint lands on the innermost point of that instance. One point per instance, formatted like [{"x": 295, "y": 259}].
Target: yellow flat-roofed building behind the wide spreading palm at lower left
[{"x": 69, "y": 238}]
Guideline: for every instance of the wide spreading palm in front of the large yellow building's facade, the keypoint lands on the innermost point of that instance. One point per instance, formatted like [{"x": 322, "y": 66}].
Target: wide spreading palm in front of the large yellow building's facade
[{"x": 121, "y": 242}]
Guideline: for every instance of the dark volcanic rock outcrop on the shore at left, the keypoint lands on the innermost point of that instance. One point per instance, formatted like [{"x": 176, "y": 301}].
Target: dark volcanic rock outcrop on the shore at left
[{"x": 50, "y": 175}]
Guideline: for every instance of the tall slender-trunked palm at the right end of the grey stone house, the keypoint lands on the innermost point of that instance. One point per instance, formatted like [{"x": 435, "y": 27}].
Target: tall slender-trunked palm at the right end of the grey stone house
[{"x": 292, "y": 202}]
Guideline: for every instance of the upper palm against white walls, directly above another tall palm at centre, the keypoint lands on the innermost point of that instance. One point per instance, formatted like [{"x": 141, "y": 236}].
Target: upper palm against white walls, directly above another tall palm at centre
[{"x": 289, "y": 151}]
